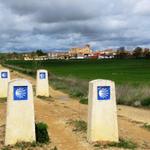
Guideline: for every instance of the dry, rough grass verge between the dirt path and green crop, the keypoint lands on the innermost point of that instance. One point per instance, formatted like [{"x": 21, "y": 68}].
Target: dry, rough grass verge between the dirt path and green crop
[{"x": 127, "y": 94}]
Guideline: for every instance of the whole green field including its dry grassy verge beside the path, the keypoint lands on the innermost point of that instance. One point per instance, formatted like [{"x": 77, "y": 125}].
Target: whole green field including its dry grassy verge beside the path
[{"x": 132, "y": 76}]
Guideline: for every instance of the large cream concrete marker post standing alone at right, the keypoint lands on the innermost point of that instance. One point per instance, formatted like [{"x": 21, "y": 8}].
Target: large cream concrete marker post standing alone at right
[{"x": 102, "y": 112}]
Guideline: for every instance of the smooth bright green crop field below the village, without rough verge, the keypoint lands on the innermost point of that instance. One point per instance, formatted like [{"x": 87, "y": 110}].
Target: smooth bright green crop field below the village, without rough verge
[{"x": 120, "y": 70}]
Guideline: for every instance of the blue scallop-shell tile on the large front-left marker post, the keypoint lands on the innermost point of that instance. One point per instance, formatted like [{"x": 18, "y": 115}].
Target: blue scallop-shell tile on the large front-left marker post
[{"x": 20, "y": 93}]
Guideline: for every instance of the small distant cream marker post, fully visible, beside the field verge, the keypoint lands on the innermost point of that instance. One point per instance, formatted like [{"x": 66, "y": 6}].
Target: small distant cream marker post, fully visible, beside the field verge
[{"x": 42, "y": 85}]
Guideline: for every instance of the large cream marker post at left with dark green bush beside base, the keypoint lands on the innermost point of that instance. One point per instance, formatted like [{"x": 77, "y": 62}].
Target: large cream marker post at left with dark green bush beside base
[{"x": 20, "y": 121}]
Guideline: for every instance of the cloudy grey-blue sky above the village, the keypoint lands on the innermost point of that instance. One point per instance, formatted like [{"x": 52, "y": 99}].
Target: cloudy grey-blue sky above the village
[{"x": 27, "y": 25}]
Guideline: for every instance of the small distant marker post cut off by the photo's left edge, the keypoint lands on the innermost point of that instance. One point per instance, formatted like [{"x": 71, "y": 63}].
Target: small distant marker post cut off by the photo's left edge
[{"x": 4, "y": 79}]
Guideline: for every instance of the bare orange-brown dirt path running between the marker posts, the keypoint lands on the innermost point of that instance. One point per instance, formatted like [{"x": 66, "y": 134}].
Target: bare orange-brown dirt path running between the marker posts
[{"x": 57, "y": 110}]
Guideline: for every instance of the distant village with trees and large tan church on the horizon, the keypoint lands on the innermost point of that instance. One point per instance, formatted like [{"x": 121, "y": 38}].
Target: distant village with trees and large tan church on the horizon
[{"x": 84, "y": 52}]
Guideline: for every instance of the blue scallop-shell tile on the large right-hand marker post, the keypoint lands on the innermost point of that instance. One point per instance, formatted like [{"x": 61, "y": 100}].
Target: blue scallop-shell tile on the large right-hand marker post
[{"x": 103, "y": 92}]
